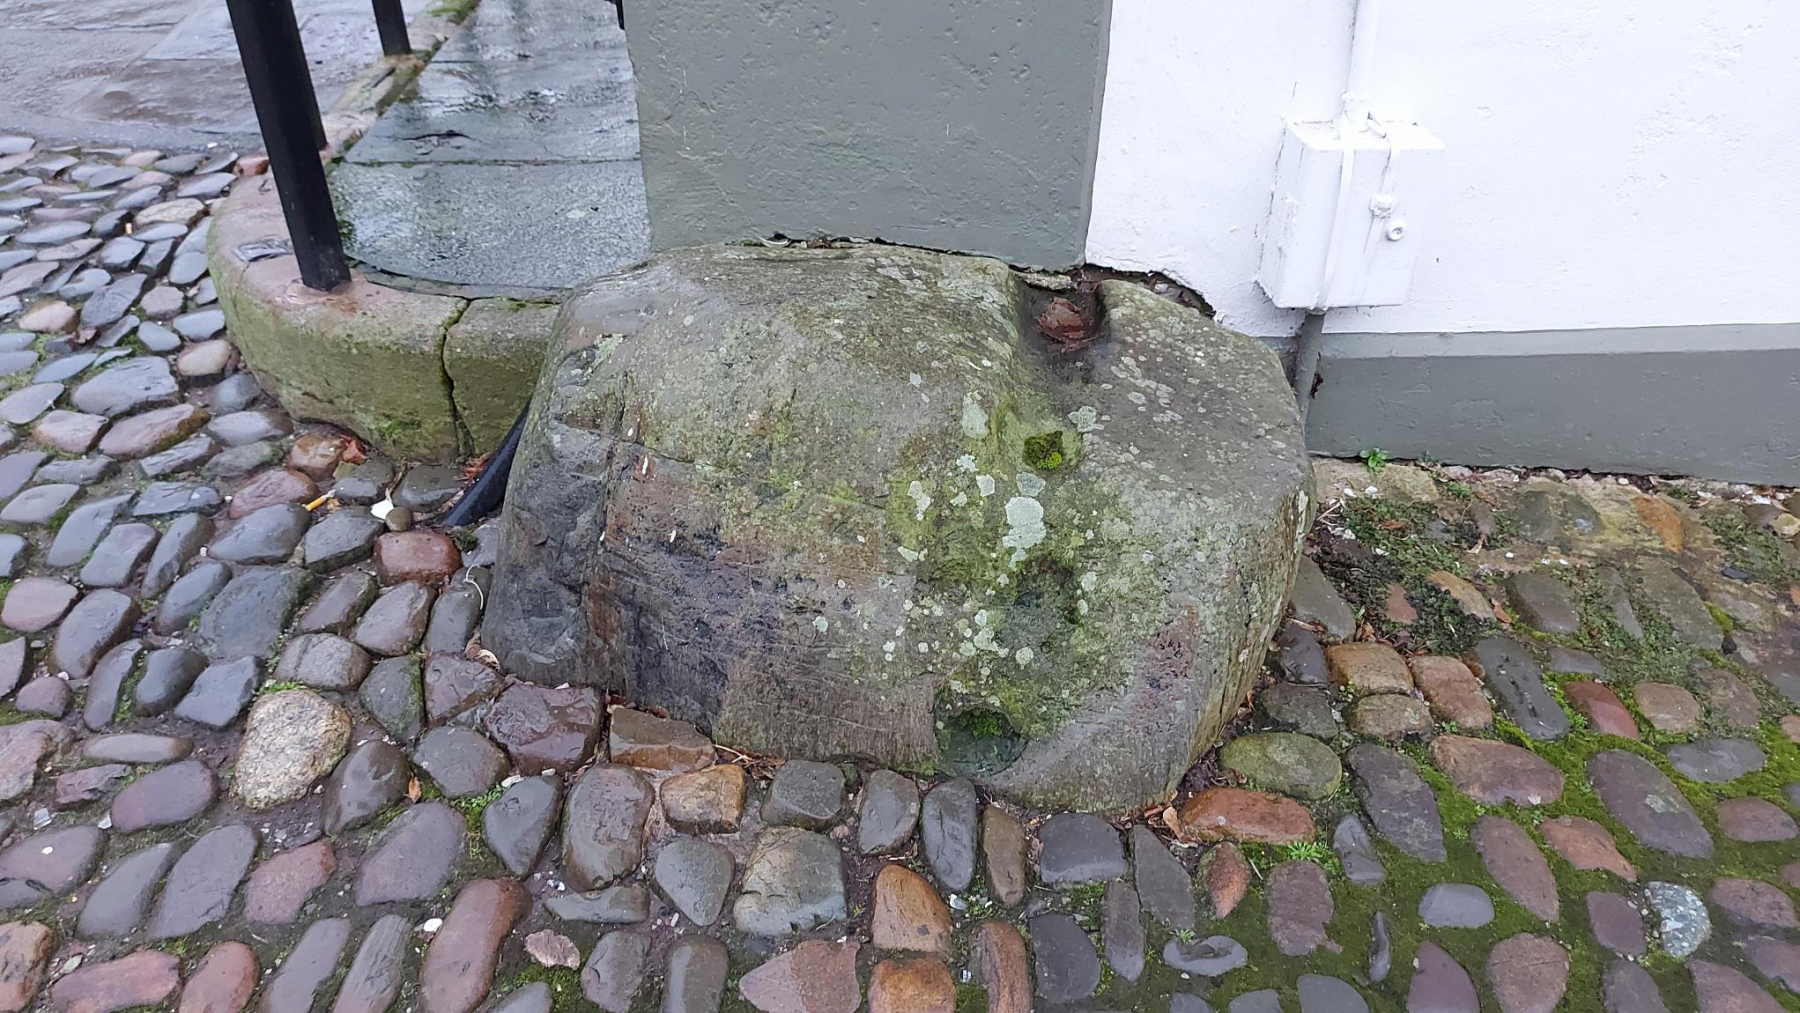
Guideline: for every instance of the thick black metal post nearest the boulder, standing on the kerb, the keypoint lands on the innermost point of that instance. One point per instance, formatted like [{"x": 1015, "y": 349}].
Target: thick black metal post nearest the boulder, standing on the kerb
[{"x": 282, "y": 87}]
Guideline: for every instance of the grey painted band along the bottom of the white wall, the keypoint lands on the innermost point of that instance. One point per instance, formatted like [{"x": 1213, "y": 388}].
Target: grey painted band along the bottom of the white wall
[{"x": 1718, "y": 402}]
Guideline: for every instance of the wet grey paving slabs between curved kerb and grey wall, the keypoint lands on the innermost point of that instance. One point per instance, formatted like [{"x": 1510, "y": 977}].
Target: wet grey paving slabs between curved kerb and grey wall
[{"x": 512, "y": 163}]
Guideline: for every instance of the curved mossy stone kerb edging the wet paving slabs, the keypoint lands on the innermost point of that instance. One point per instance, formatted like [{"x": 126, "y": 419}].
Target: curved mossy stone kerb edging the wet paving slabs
[{"x": 417, "y": 375}]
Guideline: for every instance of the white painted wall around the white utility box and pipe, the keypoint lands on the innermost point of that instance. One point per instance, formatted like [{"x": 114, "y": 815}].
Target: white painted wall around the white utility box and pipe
[{"x": 1608, "y": 165}]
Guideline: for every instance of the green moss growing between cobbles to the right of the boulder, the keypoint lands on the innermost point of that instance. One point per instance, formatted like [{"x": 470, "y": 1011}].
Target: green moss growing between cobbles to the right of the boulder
[{"x": 1659, "y": 656}]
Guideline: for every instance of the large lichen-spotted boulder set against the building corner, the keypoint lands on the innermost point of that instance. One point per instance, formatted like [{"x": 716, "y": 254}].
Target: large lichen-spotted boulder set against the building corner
[{"x": 854, "y": 503}]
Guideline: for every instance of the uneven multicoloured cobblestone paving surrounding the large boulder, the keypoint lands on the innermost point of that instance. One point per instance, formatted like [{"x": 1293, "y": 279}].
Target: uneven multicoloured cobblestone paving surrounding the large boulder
[{"x": 1525, "y": 746}]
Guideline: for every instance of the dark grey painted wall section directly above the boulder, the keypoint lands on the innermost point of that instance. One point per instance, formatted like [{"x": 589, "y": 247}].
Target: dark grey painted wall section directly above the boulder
[{"x": 951, "y": 125}]
